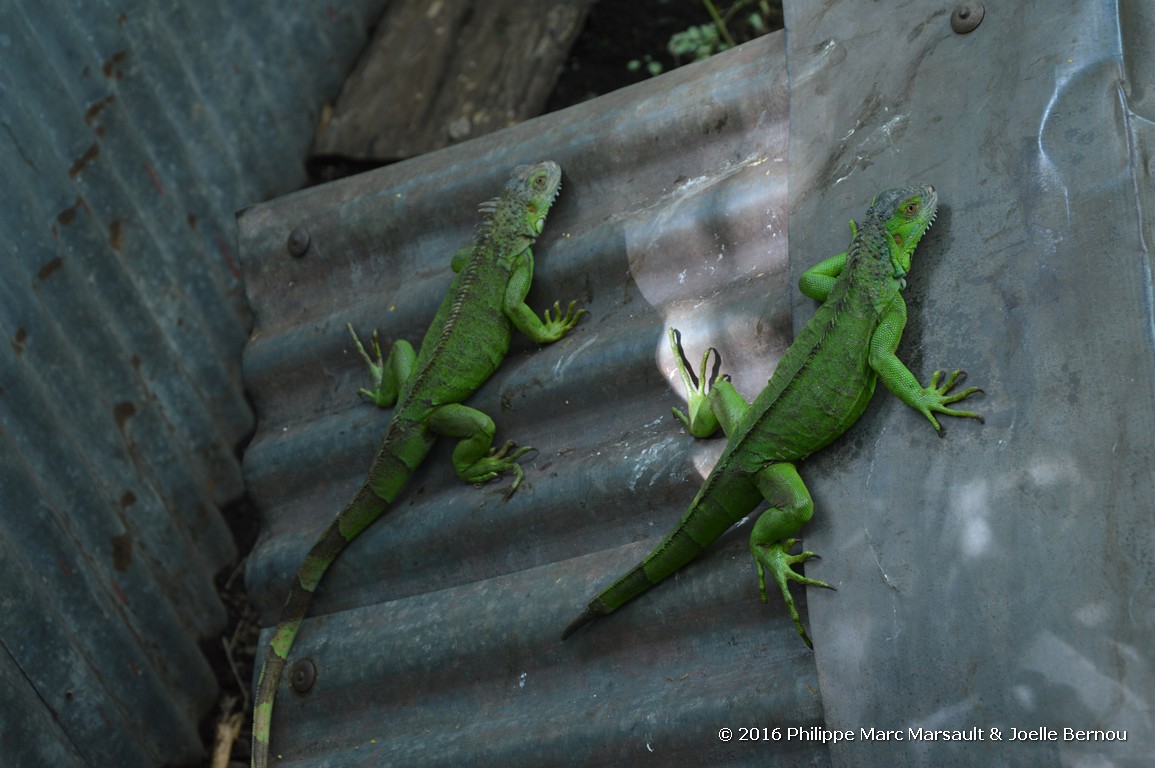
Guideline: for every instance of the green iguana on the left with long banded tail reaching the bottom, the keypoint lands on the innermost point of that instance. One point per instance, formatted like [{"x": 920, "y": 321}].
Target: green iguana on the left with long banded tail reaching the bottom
[{"x": 463, "y": 348}]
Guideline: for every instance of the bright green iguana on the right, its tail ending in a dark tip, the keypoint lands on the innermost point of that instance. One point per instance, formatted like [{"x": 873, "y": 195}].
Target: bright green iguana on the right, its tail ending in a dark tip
[{"x": 821, "y": 389}]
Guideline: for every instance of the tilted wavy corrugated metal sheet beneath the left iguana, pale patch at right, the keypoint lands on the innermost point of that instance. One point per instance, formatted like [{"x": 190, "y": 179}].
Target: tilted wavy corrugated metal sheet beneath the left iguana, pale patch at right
[{"x": 436, "y": 637}]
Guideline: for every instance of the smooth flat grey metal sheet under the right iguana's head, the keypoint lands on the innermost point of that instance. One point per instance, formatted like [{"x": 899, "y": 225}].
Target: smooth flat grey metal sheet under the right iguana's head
[{"x": 1001, "y": 578}]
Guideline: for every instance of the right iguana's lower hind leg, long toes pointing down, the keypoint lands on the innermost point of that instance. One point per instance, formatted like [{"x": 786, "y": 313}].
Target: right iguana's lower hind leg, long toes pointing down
[{"x": 771, "y": 539}]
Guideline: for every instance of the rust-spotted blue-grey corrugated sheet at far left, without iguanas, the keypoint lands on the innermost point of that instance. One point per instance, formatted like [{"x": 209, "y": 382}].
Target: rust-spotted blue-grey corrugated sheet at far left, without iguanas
[{"x": 131, "y": 135}]
